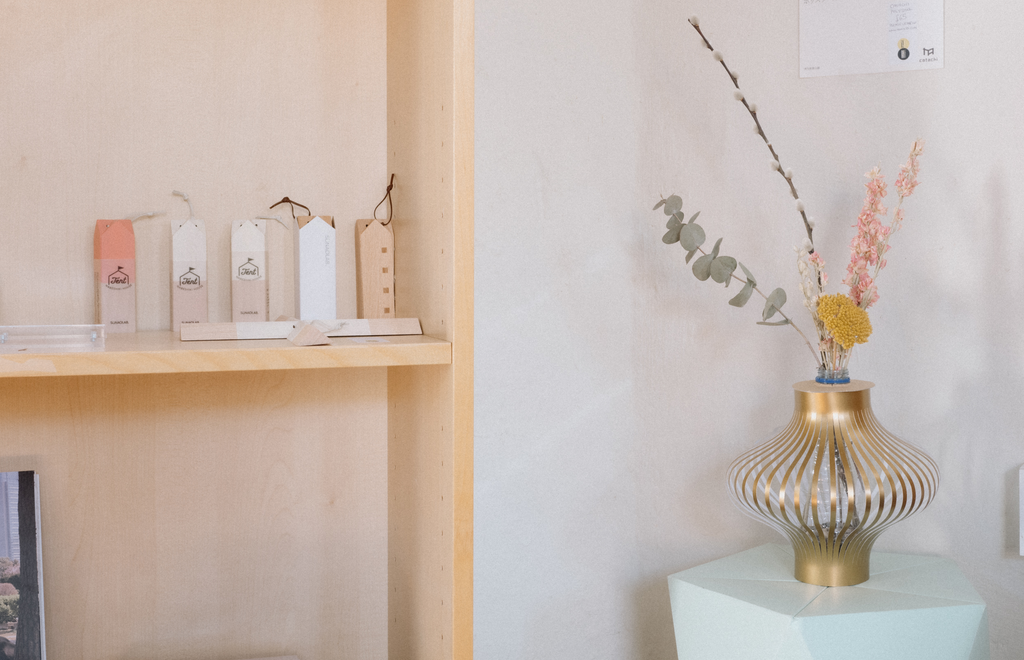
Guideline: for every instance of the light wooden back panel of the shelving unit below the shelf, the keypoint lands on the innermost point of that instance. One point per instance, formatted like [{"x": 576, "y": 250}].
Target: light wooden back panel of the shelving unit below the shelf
[{"x": 208, "y": 516}]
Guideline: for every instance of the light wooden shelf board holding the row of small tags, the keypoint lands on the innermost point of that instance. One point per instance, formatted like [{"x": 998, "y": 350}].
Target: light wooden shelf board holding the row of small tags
[{"x": 163, "y": 353}]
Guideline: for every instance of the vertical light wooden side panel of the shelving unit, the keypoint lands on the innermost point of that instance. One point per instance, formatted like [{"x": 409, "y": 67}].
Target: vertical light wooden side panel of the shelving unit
[{"x": 431, "y": 142}]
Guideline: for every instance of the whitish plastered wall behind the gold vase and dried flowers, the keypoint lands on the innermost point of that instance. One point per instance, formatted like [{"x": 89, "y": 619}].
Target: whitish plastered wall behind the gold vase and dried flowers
[{"x": 613, "y": 389}]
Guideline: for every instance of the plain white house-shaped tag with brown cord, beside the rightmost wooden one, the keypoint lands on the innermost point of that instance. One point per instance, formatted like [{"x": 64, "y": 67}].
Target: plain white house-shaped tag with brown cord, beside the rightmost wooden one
[{"x": 316, "y": 269}]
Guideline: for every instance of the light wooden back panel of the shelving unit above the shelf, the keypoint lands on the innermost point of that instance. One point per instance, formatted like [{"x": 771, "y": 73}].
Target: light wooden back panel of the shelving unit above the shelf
[{"x": 109, "y": 107}]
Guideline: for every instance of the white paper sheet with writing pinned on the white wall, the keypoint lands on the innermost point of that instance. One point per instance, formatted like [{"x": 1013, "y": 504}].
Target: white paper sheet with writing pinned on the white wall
[{"x": 841, "y": 37}]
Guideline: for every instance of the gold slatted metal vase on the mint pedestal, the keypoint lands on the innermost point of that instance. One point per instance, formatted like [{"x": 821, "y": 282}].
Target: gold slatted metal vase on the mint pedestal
[{"x": 832, "y": 481}]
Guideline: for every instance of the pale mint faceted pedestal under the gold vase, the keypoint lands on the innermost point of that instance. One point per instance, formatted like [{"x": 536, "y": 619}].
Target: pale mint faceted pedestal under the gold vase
[{"x": 751, "y": 606}]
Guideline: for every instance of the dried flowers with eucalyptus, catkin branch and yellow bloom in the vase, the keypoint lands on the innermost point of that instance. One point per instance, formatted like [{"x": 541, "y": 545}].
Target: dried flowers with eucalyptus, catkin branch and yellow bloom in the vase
[{"x": 841, "y": 321}]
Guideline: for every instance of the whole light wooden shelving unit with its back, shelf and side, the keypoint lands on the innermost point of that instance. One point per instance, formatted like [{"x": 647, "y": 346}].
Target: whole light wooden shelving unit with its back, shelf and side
[{"x": 238, "y": 500}]
